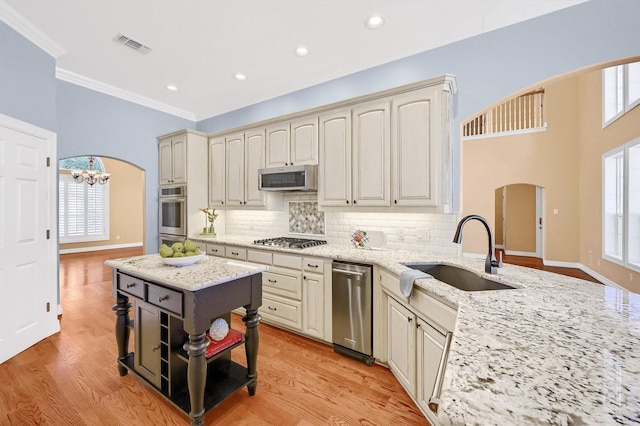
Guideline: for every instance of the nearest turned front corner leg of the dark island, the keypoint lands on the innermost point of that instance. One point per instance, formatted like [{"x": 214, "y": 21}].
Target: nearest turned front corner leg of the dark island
[{"x": 197, "y": 375}]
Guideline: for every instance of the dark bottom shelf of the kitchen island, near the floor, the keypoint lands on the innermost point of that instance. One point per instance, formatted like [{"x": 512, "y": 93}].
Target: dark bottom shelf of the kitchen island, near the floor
[{"x": 224, "y": 377}]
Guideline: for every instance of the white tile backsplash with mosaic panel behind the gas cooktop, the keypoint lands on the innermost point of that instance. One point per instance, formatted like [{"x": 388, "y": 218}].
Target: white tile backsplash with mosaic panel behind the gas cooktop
[{"x": 429, "y": 232}]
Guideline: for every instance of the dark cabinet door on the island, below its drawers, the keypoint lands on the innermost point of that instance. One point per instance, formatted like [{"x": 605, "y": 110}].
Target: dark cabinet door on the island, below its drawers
[{"x": 147, "y": 342}]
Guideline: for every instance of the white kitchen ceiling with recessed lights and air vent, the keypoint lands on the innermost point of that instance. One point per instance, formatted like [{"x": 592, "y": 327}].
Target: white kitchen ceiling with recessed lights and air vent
[{"x": 198, "y": 45}]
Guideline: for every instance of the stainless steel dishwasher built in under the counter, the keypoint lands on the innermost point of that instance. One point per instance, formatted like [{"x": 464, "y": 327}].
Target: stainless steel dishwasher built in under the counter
[{"x": 352, "y": 300}]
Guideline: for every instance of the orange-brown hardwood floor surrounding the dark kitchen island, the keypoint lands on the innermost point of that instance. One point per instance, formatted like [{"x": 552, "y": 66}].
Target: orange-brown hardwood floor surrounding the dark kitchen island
[{"x": 71, "y": 378}]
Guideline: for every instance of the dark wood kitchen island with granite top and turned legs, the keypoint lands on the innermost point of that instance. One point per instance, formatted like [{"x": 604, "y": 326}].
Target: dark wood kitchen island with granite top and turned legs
[{"x": 173, "y": 310}]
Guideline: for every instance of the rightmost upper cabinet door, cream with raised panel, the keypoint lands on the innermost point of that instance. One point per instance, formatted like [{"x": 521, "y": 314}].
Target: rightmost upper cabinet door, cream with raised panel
[{"x": 413, "y": 152}]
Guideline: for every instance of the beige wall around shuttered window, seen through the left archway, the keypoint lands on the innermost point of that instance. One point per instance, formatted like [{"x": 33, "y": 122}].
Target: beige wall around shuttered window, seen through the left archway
[{"x": 126, "y": 206}]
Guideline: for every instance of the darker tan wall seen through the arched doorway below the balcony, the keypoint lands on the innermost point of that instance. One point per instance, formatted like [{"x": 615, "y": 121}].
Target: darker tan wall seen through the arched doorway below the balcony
[{"x": 520, "y": 219}]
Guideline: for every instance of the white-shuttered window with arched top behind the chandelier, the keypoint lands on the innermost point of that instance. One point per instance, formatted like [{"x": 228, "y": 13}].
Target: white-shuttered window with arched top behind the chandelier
[{"x": 83, "y": 210}]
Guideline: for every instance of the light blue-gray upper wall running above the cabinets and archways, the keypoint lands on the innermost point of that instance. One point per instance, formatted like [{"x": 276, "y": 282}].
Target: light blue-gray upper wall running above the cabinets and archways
[{"x": 488, "y": 68}]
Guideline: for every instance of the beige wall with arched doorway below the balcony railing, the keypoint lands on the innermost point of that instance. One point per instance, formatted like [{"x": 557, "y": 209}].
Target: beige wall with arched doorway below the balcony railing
[{"x": 547, "y": 159}]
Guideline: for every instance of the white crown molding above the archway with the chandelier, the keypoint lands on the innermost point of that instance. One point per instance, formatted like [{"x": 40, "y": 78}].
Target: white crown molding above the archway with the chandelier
[{"x": 107, "y": 89}]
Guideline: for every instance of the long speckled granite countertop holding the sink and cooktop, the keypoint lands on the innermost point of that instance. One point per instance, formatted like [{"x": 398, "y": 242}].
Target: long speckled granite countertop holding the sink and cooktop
[{"x": 555, "y": 350}]
